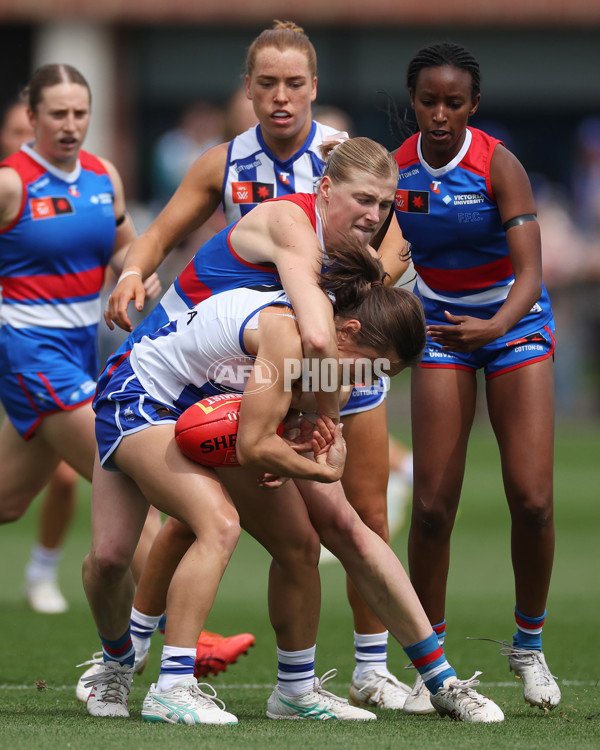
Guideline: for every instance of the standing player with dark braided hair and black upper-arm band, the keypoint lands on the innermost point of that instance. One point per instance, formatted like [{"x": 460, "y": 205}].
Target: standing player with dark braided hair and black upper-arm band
[{"x": 443, "y": 82}]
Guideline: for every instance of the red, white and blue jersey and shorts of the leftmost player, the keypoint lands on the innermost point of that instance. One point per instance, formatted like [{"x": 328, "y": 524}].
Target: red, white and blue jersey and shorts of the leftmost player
[{"x": 53, "y": 259}]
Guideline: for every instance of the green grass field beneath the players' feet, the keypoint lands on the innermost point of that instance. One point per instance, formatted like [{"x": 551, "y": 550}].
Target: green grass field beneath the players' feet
[{"x": 480, "y": 603}]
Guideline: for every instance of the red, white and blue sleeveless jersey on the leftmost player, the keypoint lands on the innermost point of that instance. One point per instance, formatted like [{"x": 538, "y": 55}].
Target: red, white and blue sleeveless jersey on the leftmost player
[{"x": 54, "y": 255}]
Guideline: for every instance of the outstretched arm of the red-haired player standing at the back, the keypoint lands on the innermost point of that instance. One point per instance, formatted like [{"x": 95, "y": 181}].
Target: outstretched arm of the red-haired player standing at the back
[{"x": 194, "y": 201}]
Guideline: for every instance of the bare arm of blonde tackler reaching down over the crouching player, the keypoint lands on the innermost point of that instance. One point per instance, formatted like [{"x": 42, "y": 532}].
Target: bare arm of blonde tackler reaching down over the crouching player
[{"x": 280, "y": 232}]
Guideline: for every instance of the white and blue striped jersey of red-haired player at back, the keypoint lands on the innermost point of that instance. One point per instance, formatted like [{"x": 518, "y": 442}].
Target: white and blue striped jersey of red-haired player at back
[{"x": 254, "y": 174}]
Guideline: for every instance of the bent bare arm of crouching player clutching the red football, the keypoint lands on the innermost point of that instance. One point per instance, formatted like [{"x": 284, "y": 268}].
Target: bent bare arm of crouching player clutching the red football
[{"x": 263, "y": 409}]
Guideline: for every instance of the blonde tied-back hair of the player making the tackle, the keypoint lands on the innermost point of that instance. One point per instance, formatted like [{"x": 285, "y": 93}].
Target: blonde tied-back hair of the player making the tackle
[{"x": 343, "y": 159}]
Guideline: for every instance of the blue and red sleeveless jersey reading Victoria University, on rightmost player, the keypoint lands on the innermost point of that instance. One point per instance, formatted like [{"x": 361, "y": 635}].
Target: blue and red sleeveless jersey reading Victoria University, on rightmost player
[{"x": 458, "y": 245}]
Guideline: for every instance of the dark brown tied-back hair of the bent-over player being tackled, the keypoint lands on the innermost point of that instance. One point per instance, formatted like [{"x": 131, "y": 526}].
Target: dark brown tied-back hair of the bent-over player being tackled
[{"x": 390, "y": 317}]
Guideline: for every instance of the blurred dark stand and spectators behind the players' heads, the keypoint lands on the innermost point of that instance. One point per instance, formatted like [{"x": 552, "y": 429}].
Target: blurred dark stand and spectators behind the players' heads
[{"x": 165, "y": 78}]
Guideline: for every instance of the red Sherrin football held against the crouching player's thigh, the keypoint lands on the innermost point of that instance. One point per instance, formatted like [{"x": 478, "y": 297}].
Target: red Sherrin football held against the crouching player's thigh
[{"x": 207, "y": 431}]
